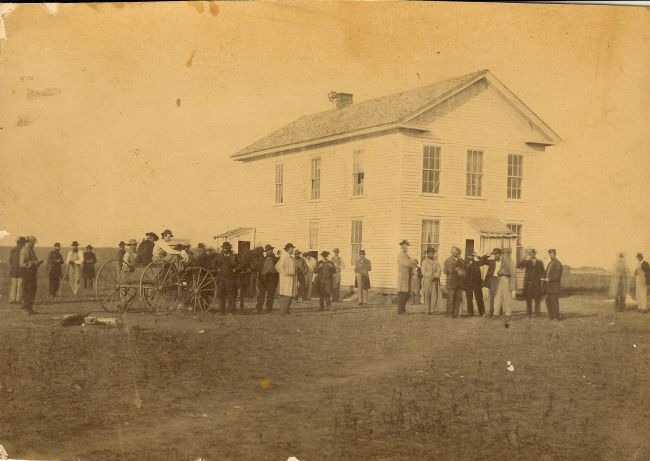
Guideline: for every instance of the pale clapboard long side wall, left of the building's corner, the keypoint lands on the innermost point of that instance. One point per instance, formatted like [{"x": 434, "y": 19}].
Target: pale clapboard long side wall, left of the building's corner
[{"x": 337, "y": 207}]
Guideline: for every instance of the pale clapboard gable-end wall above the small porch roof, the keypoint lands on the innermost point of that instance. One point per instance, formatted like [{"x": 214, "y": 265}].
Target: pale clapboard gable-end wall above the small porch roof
[{"x": 477, "y": 118}]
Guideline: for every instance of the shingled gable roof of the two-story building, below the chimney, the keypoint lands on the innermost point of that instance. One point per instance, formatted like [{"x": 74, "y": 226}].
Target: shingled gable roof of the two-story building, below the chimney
[{"x": 380, "y": 114}]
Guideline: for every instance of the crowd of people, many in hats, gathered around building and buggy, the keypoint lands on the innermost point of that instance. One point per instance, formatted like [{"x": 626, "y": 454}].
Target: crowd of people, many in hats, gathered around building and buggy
[{"x": 279, "y": 277}]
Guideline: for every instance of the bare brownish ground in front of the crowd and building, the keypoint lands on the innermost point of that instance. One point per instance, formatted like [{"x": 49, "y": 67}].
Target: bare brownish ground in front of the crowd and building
[{"x": 353, "y": 383}]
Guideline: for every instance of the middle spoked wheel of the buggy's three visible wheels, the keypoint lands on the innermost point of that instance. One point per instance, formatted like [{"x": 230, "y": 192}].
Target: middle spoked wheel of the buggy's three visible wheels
[{"x": 160, "y": 287}]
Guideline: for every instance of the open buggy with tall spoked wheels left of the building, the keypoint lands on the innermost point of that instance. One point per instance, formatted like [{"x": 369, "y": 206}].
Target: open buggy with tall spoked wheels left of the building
[{"x": 172, "y": 283}]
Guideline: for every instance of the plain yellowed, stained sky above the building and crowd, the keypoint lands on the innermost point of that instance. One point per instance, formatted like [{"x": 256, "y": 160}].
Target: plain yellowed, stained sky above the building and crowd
[{"x": 118, "y": 119}]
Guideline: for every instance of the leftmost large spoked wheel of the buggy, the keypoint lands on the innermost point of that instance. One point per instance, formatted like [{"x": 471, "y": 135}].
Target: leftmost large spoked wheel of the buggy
[{"x": 115, "y": 292}]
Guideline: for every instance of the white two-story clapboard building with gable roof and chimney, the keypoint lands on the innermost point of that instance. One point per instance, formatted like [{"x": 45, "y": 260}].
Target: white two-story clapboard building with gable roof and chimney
[{"x": 455, "y": 163}]
